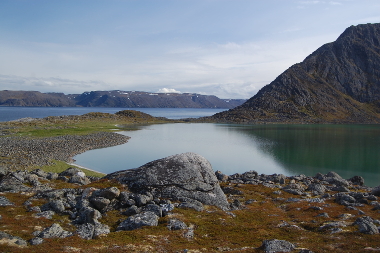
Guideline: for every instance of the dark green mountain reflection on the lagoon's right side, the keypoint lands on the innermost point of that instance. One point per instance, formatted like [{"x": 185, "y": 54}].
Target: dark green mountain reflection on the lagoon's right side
[{"x": 307, "y": 149}]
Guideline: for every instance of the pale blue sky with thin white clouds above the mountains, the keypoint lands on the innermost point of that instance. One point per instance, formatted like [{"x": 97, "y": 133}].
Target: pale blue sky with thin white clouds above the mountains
[{"x": 227, "y": 48}]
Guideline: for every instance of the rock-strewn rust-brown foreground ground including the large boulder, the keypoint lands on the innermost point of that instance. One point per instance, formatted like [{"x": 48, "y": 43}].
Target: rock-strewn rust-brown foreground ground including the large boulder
[{"x": 326, "y": 207}]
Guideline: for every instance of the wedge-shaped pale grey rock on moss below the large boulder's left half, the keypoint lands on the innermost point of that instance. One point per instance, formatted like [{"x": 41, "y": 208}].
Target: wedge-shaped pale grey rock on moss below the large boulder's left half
[{"x": 138, "y": 221}]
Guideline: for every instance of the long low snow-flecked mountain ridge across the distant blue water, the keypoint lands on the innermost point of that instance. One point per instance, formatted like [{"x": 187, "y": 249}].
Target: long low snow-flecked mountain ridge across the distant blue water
[{"x": 116, "y": 98}]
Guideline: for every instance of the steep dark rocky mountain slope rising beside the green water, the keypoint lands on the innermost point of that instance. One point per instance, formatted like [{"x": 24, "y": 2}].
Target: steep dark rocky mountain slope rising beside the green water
[{"x": 338, "y": 83}]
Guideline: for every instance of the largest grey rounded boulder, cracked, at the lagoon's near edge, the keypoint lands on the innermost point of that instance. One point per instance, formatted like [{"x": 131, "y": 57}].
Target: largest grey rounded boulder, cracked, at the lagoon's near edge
[{"x": 185, "y": 175}]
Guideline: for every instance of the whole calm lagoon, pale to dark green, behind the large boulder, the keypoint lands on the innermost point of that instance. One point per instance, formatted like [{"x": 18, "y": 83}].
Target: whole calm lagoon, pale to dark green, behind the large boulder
[{"x": 287, "y": 149}]
